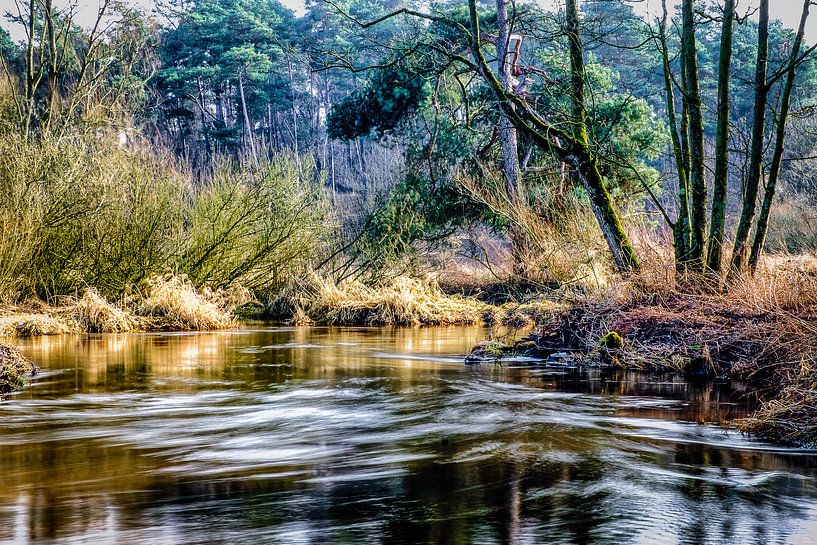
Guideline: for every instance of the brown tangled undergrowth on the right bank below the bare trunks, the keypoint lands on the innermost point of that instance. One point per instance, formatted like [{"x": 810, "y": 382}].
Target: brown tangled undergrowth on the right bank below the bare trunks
[{"x": 762, "y": 329}]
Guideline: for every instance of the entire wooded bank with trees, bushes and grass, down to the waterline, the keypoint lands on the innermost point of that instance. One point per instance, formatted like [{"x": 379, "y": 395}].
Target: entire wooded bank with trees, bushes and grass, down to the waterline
[{"x": 637, "y": 188}]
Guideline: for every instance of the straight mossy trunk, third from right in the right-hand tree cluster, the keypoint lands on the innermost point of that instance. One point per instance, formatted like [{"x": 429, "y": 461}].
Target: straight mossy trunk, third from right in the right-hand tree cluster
[{"x": 718, "y": 220}]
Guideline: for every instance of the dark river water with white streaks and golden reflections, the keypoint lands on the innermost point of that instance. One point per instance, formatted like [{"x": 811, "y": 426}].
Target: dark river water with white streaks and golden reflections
[{"x": 355, "y": 435}]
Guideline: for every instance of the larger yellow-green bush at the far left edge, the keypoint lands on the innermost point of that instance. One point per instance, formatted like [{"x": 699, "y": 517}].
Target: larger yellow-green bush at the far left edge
[{"x": 82, "y": 211}]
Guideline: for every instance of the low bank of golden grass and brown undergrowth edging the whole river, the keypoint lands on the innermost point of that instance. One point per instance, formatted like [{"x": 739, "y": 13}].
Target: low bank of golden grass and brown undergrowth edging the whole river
[{"x": 762, "y": 331}]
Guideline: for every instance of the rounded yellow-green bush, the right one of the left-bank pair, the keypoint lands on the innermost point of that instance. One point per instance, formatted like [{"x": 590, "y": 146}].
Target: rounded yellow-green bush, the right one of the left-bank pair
[{"x": 257, "y": 225}]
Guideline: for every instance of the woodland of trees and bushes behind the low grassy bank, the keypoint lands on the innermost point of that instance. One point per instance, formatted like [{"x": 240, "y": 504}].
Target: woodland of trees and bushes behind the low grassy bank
[{"x": 235, "y": 142}]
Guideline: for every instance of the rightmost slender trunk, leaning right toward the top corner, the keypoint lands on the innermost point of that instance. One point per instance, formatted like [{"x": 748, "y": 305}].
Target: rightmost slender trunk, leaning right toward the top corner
[{"x": 780, "y": 137}]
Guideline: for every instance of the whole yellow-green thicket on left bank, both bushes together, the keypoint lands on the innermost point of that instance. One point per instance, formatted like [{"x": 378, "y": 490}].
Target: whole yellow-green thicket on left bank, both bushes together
[{"x": 81, "y": 210}]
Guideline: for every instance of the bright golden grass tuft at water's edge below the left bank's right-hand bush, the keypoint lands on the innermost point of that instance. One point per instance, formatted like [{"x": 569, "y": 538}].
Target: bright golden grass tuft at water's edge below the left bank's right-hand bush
[{"x": 173, "y": 303}]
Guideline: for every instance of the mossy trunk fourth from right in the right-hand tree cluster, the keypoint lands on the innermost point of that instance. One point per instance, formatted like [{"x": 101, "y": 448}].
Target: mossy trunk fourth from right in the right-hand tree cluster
[{"x": 692, "y": 98}]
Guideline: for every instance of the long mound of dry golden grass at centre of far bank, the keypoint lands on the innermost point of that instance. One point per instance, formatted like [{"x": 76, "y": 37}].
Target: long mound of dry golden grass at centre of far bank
[{"x": 402, "y": 301}]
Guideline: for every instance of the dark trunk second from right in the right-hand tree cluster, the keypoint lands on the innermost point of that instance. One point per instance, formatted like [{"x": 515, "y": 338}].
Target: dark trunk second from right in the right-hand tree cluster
[{"x": 750, "y": 192}]
